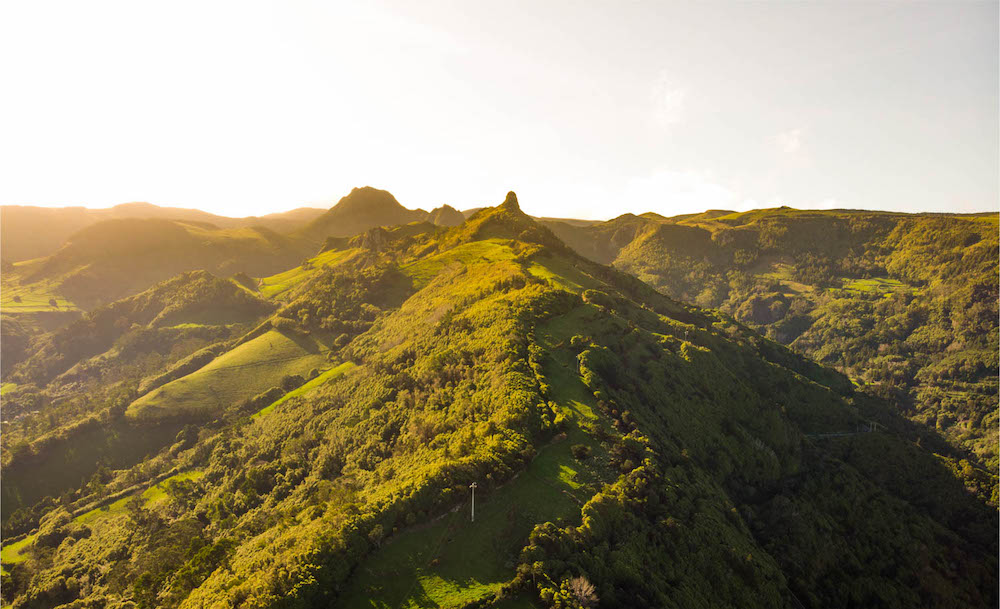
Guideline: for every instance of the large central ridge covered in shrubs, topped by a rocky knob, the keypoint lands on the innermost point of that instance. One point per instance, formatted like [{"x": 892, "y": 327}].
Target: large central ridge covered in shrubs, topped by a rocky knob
[{"x": 626, "y": 447}]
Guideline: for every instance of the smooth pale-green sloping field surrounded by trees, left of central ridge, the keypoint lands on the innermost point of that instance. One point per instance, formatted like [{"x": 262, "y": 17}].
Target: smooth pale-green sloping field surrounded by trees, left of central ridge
[{"x": 247, "y": 370}]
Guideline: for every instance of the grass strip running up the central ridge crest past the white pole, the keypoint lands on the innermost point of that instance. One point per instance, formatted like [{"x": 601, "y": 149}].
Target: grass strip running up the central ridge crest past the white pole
[{"x": 453, "y": 561}]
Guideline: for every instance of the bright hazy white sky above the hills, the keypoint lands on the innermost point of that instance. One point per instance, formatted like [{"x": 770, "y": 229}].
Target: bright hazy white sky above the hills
[{"x": 585, "y": 109}]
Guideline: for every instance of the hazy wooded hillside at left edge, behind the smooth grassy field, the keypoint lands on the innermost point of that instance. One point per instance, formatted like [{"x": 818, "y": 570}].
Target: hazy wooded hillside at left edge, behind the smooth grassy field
[{"x": 64, "y": 405}]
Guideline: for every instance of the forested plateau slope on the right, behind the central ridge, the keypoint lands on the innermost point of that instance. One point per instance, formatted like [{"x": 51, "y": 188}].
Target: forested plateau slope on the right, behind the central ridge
[{"x": 904, "y": 304}]
